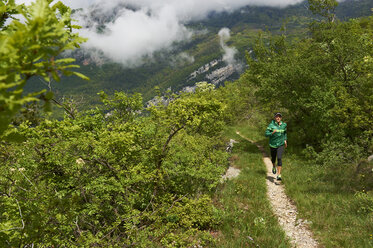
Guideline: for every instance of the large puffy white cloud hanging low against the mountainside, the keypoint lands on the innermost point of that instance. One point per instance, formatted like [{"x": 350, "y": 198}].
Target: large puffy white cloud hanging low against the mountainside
[{"x": 135, "y": 34}]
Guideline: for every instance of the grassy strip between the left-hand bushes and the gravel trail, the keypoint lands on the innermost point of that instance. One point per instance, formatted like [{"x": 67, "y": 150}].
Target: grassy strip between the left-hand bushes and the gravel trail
[{"x": 247, "y": 219}]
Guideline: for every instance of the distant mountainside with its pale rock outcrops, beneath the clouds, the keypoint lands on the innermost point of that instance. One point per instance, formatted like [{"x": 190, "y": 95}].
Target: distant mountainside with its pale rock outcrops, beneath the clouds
[{"x": 185, "y": 62}]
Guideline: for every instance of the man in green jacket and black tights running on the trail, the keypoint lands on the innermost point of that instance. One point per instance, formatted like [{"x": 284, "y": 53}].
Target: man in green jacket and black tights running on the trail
[{"x": 276, "y": 131}]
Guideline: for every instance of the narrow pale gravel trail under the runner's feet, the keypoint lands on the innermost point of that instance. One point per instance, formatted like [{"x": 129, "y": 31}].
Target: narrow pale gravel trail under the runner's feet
[{"x": 296, "y": 229}]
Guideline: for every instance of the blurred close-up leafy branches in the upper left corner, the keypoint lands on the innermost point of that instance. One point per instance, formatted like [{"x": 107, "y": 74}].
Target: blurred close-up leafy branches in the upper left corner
[{"x": 31, "y": 48}]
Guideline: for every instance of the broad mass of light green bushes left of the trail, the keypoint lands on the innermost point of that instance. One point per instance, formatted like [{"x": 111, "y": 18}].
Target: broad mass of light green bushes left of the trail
[{"x": 115, "y": 175}]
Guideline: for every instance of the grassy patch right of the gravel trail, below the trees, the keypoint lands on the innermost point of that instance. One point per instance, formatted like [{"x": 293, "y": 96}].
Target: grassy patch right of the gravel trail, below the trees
[{"x": 325, "y": 197}]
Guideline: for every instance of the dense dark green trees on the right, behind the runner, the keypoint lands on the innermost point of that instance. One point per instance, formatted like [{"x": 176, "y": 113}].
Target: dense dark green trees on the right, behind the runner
[{"x": 324, "y": 82}]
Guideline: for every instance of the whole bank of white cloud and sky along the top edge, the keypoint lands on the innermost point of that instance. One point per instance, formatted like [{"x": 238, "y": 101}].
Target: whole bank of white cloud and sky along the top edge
[{"x": 154, "y": 25}]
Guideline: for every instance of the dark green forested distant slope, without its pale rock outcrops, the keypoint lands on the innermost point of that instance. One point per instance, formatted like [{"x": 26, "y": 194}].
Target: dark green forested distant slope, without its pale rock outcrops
[{"x": 166, "y": 69}]
